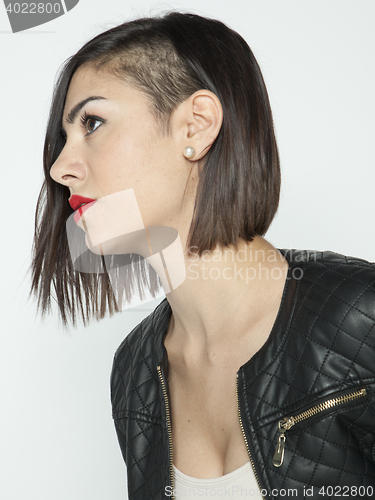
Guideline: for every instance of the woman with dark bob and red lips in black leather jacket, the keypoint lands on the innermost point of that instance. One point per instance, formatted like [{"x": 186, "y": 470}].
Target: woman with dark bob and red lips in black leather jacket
[{"x": 256, "y": 374}]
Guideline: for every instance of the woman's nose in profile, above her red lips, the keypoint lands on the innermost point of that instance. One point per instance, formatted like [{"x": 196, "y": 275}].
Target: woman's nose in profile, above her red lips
[{"x": 69, "y": 168}]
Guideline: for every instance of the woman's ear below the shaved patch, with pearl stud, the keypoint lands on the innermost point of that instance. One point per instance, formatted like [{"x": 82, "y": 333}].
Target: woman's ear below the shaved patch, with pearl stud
[{"x": 200, "y": 120}]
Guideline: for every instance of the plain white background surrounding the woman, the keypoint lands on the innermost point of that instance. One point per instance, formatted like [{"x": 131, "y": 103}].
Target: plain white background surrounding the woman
[{"x": 57, "y": 437}]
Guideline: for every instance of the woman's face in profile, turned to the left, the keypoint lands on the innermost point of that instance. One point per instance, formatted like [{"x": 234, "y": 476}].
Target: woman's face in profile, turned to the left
[{"x": 116, "y": 151}]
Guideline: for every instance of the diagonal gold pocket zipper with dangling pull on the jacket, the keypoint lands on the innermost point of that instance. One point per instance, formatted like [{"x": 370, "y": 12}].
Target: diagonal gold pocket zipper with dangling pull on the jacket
[{"x": 287, "y": 422}]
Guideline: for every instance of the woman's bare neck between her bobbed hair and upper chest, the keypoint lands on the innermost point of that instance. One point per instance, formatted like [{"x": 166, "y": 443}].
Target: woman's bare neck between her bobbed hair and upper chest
[{"x": 227, "y": 294}]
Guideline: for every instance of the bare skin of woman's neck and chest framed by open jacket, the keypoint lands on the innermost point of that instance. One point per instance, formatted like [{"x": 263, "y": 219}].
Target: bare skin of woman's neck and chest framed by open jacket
[{"x": 206, "y": 434}]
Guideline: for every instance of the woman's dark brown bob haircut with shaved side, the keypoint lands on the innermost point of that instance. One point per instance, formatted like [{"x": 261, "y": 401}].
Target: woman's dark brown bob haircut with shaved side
[{"x": 168, "y": 58}]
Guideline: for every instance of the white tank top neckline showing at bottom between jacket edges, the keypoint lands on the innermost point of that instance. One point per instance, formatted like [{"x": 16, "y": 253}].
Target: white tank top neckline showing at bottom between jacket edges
[{"x": 239, "y": 484}]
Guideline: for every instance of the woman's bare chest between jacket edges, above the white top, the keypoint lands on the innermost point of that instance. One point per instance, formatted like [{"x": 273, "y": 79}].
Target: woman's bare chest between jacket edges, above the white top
[{"x": 207, "y": 437}]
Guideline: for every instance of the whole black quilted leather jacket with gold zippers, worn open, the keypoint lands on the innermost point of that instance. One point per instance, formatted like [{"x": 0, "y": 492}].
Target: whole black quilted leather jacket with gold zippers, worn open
[{"x": 310, "y": 388}]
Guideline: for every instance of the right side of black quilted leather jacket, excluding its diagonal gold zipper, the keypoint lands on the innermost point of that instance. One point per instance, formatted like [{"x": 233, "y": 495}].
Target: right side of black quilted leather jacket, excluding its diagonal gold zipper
[{"x": 326, "y": 347}]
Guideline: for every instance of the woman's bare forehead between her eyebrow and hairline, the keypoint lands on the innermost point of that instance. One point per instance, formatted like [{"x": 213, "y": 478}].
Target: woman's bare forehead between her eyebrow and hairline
[{"x": 87, "y": 82}]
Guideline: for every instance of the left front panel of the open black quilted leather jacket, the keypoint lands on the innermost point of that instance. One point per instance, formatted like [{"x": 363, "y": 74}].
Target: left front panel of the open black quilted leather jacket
[{"x": 138, "y": 410}]
